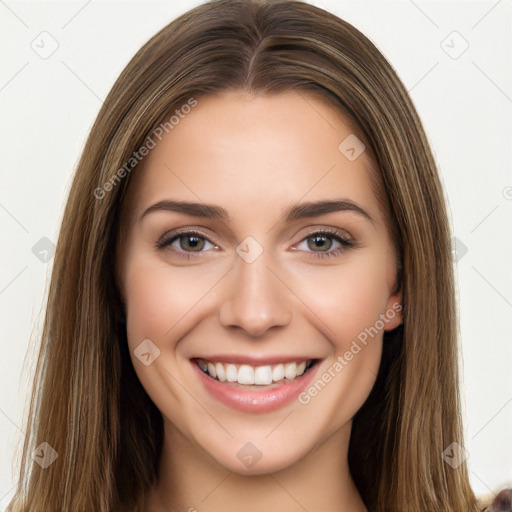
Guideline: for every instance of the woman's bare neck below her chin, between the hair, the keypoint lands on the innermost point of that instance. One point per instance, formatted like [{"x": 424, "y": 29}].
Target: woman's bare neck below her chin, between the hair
[{"x": 192, "y": 481}]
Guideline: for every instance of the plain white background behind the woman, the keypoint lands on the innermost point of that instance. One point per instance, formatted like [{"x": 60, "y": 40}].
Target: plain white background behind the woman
[{"x": 48, "y": 106}]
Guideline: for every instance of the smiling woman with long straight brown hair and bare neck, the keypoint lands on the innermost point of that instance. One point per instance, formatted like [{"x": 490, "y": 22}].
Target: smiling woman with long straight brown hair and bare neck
[{"x": 253, "y": 286}]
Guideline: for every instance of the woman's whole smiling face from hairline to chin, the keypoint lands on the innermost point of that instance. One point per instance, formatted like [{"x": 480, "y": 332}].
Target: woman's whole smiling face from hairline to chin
[{"x": 257, "y": 253}]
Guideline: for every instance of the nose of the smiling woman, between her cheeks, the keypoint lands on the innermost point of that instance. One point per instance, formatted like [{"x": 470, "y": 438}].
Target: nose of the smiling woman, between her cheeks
[{"x": 256, "y": 299}]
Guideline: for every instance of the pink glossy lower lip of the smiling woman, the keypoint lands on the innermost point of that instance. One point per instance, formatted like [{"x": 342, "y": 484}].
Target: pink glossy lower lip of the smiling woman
[{"x": 256, "y": 401}]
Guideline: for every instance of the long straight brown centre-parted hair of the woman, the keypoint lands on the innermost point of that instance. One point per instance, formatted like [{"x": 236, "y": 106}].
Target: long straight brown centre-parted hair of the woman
[{"x": 87, "y": 402}]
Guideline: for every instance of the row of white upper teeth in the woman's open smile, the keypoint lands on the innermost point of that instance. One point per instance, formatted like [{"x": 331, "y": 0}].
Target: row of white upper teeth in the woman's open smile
[{"x": 249, "y": 375}]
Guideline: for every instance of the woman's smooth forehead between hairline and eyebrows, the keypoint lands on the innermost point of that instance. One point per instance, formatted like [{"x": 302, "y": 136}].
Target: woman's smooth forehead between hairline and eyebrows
[{"x": 242, "y": 151}]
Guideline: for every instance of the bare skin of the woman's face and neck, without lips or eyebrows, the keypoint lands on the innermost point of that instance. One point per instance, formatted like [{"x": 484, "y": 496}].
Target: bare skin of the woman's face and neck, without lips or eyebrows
[{"x": 255, "y": 156}]
